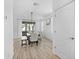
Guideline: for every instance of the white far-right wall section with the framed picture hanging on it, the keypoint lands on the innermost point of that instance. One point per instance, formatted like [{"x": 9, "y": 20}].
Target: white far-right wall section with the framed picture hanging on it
[{"x": 48, "y": 29}]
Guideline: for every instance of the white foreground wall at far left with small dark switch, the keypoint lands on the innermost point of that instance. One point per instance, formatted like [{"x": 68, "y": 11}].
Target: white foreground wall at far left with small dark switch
[{"x": 8, "y": 29}]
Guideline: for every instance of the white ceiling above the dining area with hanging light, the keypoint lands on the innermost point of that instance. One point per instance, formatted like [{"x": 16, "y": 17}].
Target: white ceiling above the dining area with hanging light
[{"x": 24, "y": 7}]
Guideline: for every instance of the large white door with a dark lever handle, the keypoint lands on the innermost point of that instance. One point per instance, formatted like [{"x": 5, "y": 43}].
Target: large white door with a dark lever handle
[{"x": 64, "y": 32}]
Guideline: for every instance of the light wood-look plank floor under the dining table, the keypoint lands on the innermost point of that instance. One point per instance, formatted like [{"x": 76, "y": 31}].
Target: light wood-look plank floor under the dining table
[{"x": 42, "y": 51}]
